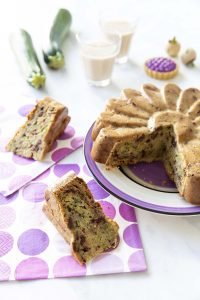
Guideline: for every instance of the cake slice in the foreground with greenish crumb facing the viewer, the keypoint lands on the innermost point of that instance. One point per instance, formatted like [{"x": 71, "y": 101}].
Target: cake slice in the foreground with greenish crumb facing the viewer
[{"x": 79, "y": 219}]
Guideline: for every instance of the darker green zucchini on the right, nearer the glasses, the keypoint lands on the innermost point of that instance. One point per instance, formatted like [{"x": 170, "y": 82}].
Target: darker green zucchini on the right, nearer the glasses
[{"x": 54, "y": 56}]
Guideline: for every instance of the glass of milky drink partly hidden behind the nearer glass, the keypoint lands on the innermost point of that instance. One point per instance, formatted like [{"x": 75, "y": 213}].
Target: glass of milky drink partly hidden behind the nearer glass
[{"x": 123, "y": 25}]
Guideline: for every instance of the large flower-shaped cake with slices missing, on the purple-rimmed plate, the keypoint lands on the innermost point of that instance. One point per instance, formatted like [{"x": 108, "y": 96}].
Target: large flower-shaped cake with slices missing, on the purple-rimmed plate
[{"x": 153, "y": 125}]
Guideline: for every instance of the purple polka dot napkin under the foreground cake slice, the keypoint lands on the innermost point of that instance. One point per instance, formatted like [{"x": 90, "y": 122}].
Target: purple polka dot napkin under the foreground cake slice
[{"x": 30, "y": 246}]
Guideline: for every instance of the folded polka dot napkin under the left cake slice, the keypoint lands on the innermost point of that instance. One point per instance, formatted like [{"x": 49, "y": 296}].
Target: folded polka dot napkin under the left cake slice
[{"x": 15, "y": 171}]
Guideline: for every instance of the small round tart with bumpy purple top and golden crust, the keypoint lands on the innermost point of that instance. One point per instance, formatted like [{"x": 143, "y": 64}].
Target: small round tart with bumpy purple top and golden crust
[{"x": 161, "y": 68}]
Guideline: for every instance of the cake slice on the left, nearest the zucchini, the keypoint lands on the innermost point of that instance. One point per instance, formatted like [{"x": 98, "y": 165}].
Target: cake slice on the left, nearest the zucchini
[{"x": 44, "y": 124}]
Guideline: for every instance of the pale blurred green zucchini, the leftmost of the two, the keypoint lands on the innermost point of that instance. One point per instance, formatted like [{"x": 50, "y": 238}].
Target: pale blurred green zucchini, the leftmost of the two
[{"x": 25, "y": 53}]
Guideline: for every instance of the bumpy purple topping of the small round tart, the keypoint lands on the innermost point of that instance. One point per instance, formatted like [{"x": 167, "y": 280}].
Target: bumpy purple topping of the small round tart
[{"x": 161, "y": 64}]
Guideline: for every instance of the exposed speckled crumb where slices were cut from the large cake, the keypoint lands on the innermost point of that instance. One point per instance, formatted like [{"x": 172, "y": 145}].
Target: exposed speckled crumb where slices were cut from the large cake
[{"x": 157, "y": 146}]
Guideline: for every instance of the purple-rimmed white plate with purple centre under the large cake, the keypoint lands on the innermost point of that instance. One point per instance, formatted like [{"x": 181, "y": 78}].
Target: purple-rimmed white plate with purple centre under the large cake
[{"x": 144, "y": 185}]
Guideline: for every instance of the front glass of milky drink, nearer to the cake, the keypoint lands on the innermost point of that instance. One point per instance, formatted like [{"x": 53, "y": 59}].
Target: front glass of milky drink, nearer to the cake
[{"x": 98, "y": 52}]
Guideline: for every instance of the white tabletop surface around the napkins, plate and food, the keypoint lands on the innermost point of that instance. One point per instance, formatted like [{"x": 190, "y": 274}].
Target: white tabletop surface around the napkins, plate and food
[{"x": 171, "y": 244}]
